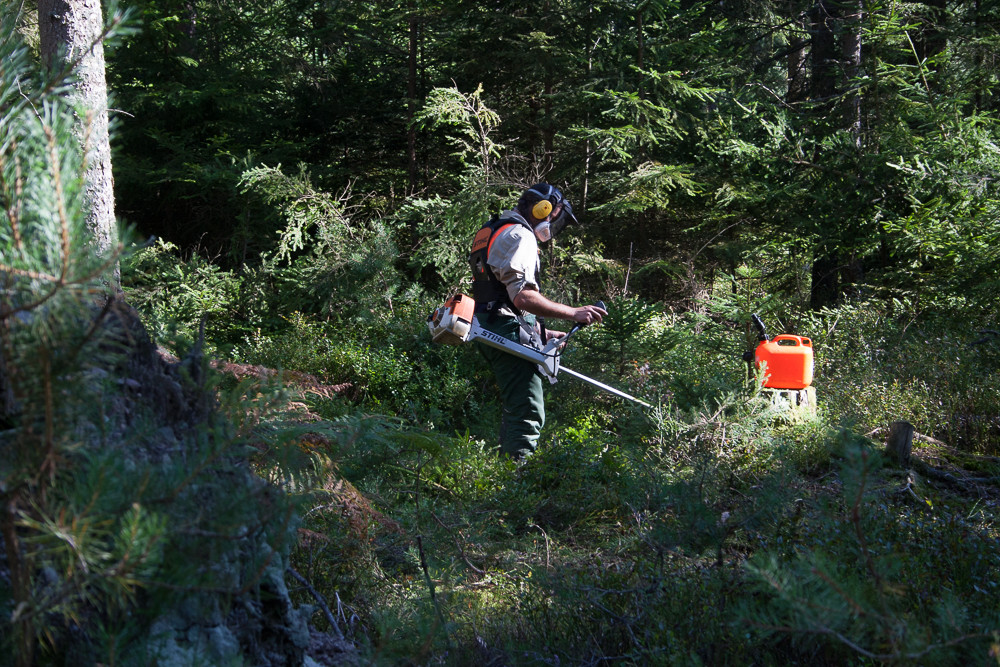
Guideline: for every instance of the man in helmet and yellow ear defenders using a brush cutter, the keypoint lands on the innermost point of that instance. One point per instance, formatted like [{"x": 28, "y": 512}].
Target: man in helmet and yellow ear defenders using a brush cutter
[{"x": 505, "y": 269}]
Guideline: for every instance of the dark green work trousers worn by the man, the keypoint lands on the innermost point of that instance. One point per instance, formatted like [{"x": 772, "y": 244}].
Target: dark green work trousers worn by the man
[{"x": 521, "y": 392}]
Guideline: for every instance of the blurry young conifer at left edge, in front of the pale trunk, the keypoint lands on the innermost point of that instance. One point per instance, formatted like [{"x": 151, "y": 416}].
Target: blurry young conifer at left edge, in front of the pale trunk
[{"x": 49, "y": 276}]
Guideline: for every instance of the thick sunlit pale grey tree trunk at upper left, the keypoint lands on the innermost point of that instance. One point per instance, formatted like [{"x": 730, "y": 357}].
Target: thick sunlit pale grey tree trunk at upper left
[{"x": 71, "y": 33}]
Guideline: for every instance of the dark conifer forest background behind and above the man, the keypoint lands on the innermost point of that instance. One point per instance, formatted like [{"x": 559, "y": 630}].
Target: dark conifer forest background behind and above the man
[{"x": 848, "y": 143}]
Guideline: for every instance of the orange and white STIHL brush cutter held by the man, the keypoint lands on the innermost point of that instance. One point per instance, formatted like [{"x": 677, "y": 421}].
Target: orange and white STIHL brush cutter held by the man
[{"x": 455, "y": 323}]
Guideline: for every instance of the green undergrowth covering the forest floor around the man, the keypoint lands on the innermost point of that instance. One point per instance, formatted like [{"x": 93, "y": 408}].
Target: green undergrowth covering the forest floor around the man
[{"x": 713, "y": 529}]
